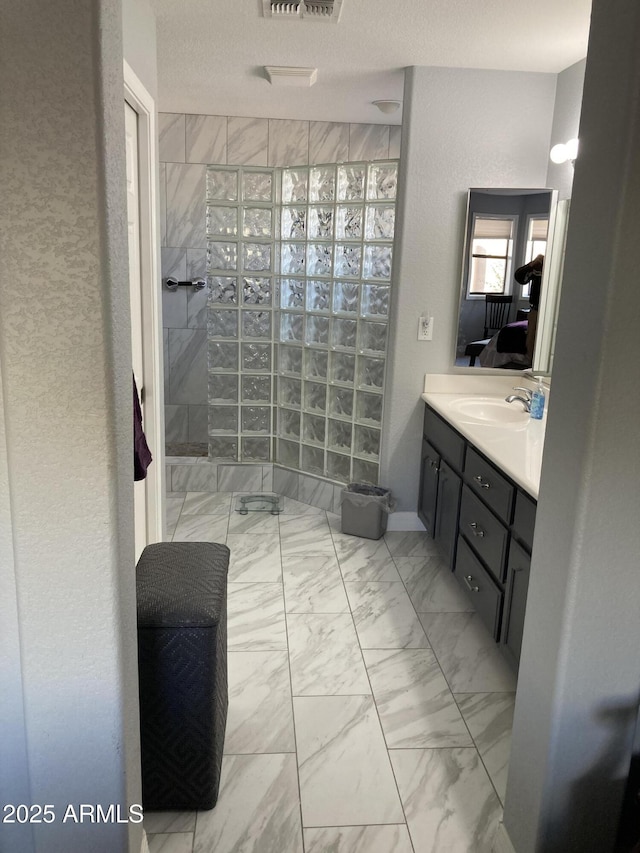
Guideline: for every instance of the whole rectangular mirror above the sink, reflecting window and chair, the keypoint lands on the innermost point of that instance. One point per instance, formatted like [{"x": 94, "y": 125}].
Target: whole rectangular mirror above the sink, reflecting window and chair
[{"x": 504, "y": 323}]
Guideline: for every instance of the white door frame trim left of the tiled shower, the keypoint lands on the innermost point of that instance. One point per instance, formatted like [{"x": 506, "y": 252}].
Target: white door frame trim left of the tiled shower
[{"x": 137, "y": 96}]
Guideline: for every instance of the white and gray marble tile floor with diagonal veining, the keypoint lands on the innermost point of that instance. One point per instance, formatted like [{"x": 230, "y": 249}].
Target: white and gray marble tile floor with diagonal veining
[{"x": 369, "y": 711}]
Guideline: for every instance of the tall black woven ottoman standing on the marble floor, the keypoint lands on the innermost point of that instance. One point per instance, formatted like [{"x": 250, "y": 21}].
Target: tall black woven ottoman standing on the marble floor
[{"x": 182, "y": 661}]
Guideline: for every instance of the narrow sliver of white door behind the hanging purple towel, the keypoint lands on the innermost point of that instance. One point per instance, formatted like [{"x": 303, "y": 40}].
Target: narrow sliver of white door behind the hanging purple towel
[{"x": 135, "y": 291}]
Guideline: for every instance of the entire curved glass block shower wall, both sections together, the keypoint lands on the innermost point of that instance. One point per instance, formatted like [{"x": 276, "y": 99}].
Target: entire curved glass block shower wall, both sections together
[{"x": 307, "y": 269}]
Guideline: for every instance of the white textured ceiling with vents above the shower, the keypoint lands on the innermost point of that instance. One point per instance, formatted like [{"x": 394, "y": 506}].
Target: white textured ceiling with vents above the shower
[{"x": 211, "y": 53}]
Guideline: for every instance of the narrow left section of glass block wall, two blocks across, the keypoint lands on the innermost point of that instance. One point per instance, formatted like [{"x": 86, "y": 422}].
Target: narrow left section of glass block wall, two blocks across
[{"x": 241, "y": 210}]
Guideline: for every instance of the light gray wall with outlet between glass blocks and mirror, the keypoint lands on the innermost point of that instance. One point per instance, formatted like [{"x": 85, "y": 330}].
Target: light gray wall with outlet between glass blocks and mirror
[{"x": 462, "y": 128}]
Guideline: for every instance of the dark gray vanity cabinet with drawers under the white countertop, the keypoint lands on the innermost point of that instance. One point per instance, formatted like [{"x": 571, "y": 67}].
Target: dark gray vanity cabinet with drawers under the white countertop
[{"x": 483, "y": 523}]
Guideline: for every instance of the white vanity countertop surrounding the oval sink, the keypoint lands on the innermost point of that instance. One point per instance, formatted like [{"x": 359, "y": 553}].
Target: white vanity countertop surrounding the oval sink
[{"x": 515, "y": 448}]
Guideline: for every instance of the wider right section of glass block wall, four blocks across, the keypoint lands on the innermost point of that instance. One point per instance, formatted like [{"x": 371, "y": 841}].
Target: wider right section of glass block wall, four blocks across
[{"x": 336, "y": 247}]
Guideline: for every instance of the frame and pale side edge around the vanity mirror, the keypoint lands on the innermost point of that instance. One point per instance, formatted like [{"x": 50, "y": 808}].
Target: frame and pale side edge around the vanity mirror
[{"x": 550, "y": 288}]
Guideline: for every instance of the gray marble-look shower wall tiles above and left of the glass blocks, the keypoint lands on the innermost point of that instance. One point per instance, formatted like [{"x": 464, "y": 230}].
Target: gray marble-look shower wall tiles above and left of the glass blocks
[{"x": 187, "y": 144}]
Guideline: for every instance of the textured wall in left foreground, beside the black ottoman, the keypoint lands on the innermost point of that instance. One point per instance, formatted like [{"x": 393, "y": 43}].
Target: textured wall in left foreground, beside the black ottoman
[{"x": 68, "y": 683}]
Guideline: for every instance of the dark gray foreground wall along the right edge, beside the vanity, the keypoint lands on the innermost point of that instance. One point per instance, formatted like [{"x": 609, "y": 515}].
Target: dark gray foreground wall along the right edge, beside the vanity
[{"x": 579, "y": 678}]
